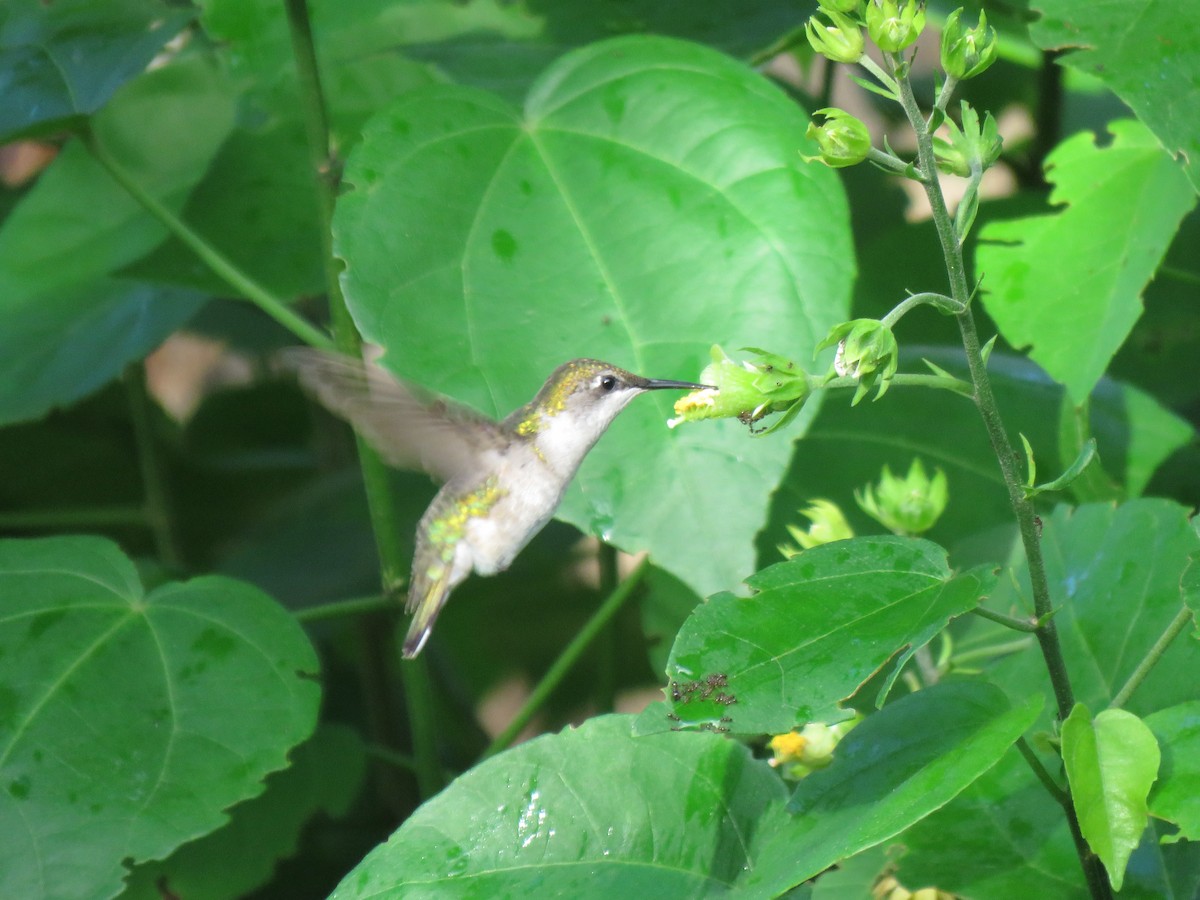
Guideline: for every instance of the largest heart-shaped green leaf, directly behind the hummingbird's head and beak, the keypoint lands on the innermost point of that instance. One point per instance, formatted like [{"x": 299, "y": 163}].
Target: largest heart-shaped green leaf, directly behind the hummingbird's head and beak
[{"x": 649, "y": 201}]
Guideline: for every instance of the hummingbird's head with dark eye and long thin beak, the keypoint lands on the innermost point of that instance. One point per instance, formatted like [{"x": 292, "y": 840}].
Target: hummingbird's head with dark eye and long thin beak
[{"x": 579, "y": 403}]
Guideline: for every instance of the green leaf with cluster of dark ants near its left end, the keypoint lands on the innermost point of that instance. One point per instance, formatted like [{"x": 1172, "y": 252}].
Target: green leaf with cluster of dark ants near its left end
[{"x": 818, "y": 628}]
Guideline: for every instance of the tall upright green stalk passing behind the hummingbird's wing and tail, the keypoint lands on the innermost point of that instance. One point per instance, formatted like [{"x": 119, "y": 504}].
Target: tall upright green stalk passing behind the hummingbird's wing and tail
[{"x": 381, "y": 503}]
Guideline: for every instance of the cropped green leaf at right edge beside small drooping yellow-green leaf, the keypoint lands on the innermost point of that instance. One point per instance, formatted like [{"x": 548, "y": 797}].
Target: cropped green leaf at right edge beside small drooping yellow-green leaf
[{"x": 1177, "y": 795}]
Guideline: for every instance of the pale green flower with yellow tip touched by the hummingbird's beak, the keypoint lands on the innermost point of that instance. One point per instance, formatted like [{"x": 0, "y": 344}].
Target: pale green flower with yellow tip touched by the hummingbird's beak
[{"x": 745, "y": 391}]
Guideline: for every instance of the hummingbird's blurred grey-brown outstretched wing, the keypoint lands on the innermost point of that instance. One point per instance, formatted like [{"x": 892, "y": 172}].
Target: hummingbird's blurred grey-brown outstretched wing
[{"x": 409, "y": 428}]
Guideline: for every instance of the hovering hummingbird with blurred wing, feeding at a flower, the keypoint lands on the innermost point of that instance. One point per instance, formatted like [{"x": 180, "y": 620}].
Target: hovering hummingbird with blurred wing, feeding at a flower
[{"x": 502, "y": 481}]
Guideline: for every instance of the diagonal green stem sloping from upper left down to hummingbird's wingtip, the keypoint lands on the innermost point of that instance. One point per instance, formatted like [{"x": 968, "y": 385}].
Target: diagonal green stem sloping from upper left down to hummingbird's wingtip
[{"x": 211, "y": 256}]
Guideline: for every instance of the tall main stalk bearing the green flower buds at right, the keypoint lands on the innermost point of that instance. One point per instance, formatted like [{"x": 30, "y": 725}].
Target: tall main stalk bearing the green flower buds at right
[{"x": 1047, "y": 634}]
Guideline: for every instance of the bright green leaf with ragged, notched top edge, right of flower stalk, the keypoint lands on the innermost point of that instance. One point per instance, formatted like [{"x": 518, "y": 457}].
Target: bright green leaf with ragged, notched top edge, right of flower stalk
[{"x": 1070, "y": 285}]
